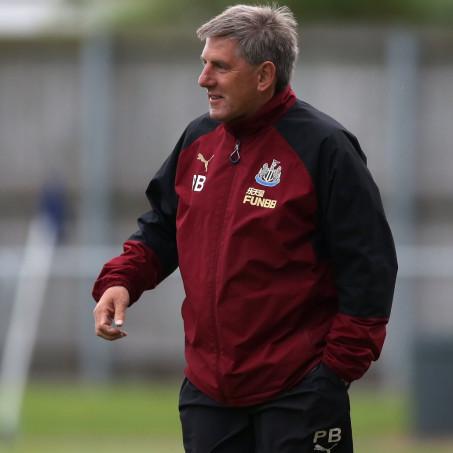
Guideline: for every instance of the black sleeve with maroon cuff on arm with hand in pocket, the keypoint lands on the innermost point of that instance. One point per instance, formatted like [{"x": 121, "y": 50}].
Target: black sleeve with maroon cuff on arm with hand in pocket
[{"x": 361, "y": 249}]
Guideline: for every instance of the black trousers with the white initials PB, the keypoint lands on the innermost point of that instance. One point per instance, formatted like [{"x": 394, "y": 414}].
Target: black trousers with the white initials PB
[{"x": 312, "y": 417}]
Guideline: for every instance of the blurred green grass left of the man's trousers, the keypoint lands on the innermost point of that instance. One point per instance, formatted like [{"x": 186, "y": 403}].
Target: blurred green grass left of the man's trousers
[{"x": 77, "y": 419}]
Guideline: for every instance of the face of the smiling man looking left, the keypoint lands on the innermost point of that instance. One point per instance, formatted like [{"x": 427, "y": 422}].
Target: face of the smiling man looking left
[{"x": 231, "y": 82}]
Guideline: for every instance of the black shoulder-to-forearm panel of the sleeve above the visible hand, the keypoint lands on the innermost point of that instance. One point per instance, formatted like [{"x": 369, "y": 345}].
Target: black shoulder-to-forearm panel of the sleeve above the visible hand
[{"x": 157, "y": 227}]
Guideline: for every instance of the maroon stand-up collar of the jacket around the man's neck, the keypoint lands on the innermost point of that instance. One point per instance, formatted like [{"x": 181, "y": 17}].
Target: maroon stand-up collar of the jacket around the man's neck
[{"x": 269, "y": 113}]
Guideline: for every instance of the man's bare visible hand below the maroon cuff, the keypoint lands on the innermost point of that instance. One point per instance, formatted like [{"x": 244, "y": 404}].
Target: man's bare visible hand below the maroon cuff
[{"x": 110, "y": 309}]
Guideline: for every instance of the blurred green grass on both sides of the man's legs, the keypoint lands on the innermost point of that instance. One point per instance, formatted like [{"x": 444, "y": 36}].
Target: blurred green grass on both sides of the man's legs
[{"x": 65, "y": 418}]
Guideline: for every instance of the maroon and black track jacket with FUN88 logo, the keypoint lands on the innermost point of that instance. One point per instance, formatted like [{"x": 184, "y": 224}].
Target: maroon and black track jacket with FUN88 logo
[{"x": 285, "y": 253}]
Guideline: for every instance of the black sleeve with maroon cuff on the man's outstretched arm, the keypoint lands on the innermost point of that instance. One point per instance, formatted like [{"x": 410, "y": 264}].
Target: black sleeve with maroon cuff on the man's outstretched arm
[{"x": 150, "y": 254}]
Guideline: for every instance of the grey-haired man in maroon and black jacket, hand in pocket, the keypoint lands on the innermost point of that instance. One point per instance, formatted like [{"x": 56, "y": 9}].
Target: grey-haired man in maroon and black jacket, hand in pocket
[{"x": 287, "y": 260}]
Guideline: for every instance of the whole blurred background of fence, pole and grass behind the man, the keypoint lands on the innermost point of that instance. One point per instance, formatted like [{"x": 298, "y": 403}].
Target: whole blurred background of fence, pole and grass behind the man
[{"x": 93, "y": 97}]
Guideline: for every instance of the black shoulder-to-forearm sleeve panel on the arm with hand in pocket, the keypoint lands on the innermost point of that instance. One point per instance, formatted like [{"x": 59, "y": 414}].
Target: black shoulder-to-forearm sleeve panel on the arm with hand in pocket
[{"x": 352, "y": 232}]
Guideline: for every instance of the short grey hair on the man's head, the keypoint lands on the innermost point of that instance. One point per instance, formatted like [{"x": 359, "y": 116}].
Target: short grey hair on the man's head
[{"x": 264, "y": 33}]
